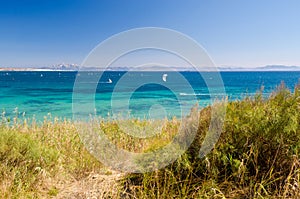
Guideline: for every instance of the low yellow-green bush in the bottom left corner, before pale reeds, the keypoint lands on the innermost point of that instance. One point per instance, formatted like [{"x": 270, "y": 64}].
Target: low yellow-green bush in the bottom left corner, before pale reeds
[{"x": 24, "y": 162}]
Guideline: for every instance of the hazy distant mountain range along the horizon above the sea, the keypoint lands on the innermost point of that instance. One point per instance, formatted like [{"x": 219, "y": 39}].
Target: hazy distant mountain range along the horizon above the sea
[{"x": 74, "y": 67}]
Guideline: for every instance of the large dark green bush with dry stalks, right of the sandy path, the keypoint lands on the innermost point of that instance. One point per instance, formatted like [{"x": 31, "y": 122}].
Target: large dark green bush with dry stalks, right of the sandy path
[{"x": 257, "y": 155}]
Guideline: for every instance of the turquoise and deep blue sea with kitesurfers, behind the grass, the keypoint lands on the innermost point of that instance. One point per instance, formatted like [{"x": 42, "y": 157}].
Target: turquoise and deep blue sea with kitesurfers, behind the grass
[{"x": 70, "y": 95}]
